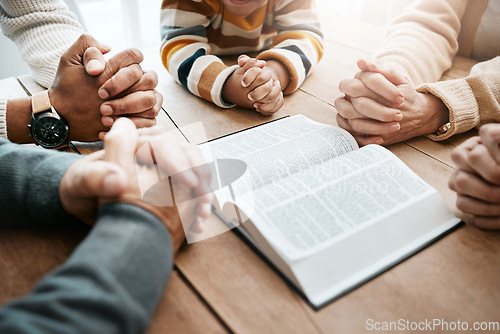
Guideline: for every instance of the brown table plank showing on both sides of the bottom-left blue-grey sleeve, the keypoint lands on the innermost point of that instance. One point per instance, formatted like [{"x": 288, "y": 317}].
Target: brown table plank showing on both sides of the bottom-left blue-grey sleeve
[{"x": 27, "y": 255}]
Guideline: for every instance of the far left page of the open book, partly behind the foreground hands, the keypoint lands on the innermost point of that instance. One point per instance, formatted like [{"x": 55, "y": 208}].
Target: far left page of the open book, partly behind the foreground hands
[{"x": 279, "y": 149}]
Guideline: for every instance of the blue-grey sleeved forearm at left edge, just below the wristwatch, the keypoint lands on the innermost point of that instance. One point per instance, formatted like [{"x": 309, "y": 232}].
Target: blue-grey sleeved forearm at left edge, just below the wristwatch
[{"x": 30, "y": 180}]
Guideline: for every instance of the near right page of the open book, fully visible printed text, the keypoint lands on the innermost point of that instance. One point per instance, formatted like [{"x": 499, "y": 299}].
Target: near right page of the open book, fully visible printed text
[{"x": 310, "y": 210}]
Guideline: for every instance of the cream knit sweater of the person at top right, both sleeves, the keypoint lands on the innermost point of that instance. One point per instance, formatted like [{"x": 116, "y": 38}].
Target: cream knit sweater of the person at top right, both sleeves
[{"x": 423, "y": 42}]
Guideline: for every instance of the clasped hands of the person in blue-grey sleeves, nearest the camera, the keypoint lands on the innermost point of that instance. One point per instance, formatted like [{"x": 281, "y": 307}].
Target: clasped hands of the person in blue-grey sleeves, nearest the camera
[{"x": 116, "y": 173}]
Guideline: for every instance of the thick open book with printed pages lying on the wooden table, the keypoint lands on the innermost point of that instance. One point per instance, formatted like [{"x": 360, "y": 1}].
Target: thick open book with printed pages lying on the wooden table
[{"x": 328, "y": 215}]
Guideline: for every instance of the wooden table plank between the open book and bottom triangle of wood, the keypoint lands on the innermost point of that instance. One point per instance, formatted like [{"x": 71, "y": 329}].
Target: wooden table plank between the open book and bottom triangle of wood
[{"x": 241, "y": 288}]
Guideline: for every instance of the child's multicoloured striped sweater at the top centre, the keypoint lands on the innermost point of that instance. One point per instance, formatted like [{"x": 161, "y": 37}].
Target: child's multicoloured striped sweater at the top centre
[{"x": 195, "y": 32}]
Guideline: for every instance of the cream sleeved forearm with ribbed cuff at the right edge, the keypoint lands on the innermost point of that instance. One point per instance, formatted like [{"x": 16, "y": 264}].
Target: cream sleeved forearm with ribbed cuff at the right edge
[{"x": 471, "y": 101}]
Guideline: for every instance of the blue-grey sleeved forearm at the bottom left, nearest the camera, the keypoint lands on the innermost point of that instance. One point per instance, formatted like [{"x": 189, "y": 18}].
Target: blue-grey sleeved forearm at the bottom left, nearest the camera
[{"x": 110, "y": 284}]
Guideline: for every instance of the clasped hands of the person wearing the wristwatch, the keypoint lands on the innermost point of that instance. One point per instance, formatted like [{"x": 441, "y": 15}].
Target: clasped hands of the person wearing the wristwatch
[{"x": 91, "y": 93}]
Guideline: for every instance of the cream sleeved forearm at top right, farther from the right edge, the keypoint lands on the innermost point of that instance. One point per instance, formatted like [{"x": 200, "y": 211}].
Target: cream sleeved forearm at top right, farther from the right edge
[{"x": 422, "y": 42}]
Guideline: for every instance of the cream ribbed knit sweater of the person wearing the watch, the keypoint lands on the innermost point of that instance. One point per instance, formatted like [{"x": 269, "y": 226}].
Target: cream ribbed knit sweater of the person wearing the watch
[{"x": 42, "y": 30}]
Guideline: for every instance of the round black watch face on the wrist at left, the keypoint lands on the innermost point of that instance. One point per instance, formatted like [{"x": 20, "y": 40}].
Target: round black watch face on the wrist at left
[{"x": 49, "y": 132}]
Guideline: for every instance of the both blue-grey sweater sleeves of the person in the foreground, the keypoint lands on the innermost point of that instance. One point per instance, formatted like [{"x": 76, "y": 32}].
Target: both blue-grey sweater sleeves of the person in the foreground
[{"x": 113, "y": 280}]
